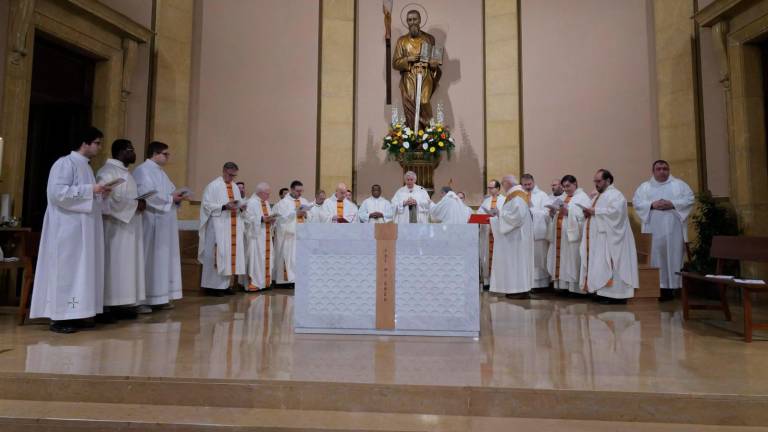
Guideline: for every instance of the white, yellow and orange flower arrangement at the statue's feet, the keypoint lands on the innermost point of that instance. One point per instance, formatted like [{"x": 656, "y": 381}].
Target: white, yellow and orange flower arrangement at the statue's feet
[{"x": 402, "y": 142}]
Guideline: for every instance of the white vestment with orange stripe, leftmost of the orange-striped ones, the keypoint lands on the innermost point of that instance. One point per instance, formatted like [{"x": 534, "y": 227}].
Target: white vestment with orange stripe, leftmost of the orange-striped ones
[{"x": 216, "y": 237}]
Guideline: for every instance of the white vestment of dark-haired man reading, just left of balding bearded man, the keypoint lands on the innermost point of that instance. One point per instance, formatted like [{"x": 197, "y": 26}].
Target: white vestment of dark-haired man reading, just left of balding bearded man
[{"x": 565, "y": 266}]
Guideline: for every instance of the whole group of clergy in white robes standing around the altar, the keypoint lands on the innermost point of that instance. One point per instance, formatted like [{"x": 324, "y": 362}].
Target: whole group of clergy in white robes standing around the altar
[{"x": 110, "y": 244}]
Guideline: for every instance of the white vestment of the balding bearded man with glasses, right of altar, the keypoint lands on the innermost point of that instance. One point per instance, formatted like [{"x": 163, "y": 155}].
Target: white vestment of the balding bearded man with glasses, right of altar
[{"x": 608, "y": 254}]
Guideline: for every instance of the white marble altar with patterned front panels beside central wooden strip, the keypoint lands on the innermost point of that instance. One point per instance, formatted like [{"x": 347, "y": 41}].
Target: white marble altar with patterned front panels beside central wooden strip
[{"x": 436, "y": 291}]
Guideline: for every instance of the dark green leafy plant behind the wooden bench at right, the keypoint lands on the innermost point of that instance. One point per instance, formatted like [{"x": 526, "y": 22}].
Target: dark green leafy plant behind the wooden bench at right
[{"x": 710, "y": 219}]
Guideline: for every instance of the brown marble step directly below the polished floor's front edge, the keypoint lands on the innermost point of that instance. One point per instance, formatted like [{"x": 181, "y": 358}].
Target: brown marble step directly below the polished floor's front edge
[{"x": 711, "y": 409}]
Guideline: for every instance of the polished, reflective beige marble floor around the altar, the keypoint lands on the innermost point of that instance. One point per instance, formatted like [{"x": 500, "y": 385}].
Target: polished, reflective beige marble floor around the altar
[{"x": 547, "y": 343}]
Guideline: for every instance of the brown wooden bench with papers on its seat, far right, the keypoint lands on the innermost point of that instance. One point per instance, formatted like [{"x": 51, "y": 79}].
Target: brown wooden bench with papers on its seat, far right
[{"x": 733, "y": 248}]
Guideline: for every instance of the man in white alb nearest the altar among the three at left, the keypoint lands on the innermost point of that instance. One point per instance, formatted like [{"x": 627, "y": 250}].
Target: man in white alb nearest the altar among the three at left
[{"x": 162, "y": 258}]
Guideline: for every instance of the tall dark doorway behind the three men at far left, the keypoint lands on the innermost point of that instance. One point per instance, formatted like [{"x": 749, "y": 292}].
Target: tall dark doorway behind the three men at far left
[{"x": 60, "y": 106}]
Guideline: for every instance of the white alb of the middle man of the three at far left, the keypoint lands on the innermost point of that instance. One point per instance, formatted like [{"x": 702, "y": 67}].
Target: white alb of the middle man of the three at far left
[{"x": 124, "y": 282}]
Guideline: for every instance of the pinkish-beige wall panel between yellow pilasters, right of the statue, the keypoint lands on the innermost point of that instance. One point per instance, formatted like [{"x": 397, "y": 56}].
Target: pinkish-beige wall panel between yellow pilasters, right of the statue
[{"x": 588, "y": 90}]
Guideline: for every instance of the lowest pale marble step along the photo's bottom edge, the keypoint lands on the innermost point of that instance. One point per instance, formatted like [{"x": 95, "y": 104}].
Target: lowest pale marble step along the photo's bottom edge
[{"x": 34, "y": 416}]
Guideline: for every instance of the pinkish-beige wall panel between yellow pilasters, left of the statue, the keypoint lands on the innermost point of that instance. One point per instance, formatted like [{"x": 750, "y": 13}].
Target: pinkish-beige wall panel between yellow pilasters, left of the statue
[{"x": 254, "y": 91}]
